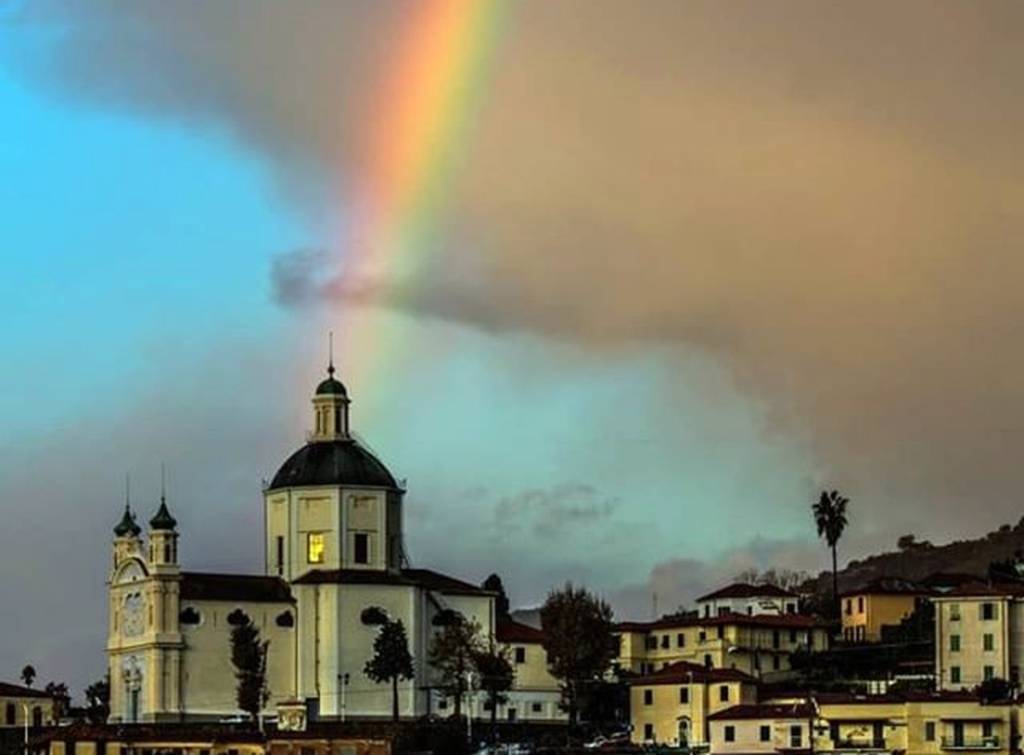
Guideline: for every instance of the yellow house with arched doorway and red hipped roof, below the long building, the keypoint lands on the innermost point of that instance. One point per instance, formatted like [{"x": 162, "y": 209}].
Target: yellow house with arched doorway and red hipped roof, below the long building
[{"x": 672, "y": 706}]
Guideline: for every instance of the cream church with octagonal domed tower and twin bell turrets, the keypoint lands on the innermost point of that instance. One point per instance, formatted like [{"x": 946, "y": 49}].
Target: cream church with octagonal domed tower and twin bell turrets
[{"x": 333, "y": 530}]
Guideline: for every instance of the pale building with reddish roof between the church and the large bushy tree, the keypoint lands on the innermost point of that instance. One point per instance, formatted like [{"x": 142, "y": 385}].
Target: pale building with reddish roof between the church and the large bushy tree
[{"x": 535, "y": 694}]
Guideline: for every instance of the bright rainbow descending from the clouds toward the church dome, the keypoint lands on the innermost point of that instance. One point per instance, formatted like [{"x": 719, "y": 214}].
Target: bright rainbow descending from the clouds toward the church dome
[{"x": 414, "y": 141}]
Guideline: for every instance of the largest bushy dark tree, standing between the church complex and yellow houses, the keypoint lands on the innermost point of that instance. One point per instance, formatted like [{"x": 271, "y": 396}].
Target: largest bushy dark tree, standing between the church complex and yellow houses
[{"x": 579, "y": 641}]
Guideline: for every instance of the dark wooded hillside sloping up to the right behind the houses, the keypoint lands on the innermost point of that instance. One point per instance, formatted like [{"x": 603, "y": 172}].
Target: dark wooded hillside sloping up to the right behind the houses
[{"x": 918, "y": 561}]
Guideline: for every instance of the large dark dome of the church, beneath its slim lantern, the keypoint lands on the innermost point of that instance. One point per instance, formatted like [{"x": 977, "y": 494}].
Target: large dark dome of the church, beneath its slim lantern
[{"x": 339, "y": 463}]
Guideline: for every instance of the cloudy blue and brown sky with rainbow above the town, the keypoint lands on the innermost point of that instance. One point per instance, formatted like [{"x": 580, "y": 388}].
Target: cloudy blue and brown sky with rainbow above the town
[{"x": 618, "y": 287}]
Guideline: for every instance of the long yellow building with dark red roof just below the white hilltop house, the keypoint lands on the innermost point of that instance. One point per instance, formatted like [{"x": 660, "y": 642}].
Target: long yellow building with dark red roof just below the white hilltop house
[{"x": 760, "y": 645}]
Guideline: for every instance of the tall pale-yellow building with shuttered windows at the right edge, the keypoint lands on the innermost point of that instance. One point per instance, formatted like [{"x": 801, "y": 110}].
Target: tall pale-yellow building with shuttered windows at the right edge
[{"x": 979, "y": 635}]
